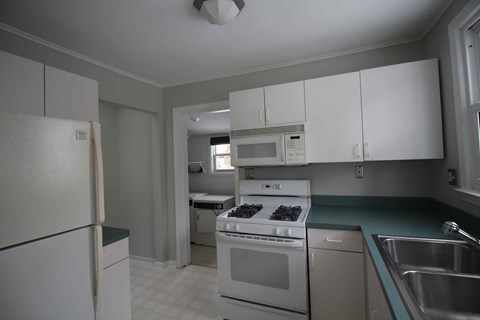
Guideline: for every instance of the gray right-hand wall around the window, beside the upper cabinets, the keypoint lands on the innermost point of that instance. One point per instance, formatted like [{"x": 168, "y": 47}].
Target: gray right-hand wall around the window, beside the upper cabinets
[{"x": 436, "y": 45}]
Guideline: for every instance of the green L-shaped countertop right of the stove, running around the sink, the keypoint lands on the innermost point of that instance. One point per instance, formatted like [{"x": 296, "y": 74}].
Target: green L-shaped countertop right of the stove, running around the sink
[{"x": 425, "y": 221}]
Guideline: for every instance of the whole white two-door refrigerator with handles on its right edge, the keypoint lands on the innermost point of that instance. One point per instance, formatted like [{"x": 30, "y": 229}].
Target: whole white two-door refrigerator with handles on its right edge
[{"x": 51, "y": 207}]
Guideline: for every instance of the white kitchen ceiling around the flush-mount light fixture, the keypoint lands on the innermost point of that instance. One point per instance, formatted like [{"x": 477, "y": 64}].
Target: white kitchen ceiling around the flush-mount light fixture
[{"x": 167, "y": 42}]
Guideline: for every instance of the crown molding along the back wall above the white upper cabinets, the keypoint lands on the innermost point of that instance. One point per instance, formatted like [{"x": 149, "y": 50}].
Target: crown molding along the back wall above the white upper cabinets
[{"x": 299, "y": 61}]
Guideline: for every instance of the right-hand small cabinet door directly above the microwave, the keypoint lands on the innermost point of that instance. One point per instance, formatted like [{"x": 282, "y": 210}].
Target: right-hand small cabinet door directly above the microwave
[{"x": 285, "y": 103}]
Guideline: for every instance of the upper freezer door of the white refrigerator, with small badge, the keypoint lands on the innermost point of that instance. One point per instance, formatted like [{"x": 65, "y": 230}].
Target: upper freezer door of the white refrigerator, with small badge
[{"x": 47, "y": 177}]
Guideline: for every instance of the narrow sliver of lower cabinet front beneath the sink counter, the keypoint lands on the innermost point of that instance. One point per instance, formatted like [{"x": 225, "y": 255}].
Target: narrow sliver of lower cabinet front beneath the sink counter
[{"x": 377, "y": 305}]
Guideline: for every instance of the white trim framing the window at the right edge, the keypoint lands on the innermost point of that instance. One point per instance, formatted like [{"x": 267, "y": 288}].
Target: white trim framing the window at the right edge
[{"x": 461, "y": 95}]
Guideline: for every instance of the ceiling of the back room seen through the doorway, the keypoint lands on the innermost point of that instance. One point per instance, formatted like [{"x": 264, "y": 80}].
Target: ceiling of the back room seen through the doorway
[{"x": 209, "y": 123}]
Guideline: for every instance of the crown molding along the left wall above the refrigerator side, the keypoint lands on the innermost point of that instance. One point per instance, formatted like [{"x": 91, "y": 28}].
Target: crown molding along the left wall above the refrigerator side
[{"x": 74, "y": 54}]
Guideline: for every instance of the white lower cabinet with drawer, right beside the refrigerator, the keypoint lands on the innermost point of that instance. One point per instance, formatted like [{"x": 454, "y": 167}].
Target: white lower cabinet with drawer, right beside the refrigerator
[{"x": 116, "y": 291}]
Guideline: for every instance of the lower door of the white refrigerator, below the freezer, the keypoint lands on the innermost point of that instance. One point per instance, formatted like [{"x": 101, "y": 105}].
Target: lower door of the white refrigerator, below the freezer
[{"x": 49, "y": 279}]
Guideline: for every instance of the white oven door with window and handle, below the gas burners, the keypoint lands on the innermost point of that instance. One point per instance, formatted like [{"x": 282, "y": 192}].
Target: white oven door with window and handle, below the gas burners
[{"x": 267, "y": 270}]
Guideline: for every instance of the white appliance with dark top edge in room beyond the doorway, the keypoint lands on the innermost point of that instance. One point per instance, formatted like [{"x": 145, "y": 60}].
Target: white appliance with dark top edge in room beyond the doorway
[{"x": 206, "y": 209}]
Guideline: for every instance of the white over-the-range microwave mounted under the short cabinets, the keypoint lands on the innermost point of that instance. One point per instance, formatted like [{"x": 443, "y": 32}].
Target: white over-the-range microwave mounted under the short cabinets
[{"x": 269, "y": 146}]
